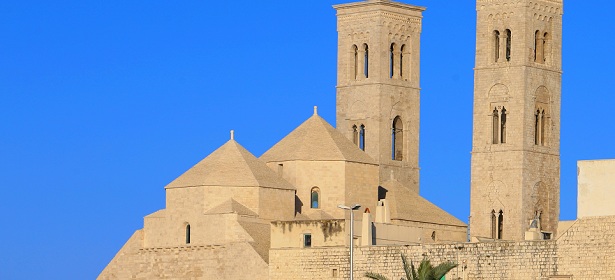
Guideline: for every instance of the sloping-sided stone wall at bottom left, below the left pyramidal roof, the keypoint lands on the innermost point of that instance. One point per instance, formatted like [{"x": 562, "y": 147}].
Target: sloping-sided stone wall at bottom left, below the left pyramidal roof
[{"x": 228, "y": 261}]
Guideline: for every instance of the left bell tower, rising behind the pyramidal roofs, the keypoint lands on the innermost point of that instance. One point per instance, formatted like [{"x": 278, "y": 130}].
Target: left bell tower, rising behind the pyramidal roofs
[{"x": 378, "y": 84}]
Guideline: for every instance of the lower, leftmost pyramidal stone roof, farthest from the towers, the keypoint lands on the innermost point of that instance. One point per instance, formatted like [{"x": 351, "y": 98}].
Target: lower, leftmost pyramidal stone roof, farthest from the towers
[{"x": 230, "y": 165}]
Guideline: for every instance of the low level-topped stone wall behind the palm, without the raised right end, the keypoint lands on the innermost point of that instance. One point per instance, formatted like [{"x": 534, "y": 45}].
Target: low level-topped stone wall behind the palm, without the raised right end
[{"x": 493, "y": 260}]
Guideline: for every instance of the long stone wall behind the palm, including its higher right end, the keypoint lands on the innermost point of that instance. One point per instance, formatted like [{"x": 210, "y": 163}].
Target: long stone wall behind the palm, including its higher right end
[{"x": 584, "y": 251}]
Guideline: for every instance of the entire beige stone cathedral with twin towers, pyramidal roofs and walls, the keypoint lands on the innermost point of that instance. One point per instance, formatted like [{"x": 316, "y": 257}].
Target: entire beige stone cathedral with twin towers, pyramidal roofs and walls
[{"x": 237, "y": 216}]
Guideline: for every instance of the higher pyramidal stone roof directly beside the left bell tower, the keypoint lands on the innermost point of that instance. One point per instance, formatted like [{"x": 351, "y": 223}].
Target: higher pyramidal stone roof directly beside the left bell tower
[{"x": 315, "y": 139}]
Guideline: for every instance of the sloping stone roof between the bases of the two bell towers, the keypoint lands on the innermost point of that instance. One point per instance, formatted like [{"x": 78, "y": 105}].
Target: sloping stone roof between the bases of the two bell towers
[{"x": 408, "y": 205}]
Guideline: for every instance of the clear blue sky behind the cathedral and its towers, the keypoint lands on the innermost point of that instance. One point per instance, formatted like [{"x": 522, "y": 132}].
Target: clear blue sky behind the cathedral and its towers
[{"x": 105, "y": 102}]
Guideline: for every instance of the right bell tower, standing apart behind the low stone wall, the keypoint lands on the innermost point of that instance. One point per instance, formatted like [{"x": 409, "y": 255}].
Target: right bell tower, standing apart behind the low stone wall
[{"x": 516, "y": 135}]
